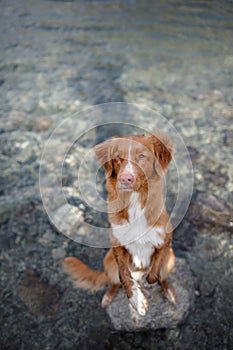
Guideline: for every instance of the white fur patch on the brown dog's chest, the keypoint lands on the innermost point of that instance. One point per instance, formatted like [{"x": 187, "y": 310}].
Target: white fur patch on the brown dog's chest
[{"x": 139, "y": 238}]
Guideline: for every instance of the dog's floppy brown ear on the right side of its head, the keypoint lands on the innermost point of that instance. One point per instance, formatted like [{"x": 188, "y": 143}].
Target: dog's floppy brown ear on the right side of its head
[{"x": 163, "y": 148}]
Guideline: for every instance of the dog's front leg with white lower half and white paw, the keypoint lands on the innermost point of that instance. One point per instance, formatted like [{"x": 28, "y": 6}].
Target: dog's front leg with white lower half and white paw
[{"x": 133, "y": 291}]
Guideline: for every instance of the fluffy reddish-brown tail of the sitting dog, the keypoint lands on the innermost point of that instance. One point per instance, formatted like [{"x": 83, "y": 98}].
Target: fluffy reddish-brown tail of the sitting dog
[{"x": 84, "y": 277}]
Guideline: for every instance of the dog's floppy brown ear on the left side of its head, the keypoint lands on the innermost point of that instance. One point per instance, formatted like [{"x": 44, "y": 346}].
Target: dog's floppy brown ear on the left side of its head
[{"x": 102, "y": 152}]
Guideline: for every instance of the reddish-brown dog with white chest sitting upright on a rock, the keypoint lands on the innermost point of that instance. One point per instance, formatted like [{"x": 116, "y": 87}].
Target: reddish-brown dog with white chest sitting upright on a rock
[{"x": 141, "y": 232}]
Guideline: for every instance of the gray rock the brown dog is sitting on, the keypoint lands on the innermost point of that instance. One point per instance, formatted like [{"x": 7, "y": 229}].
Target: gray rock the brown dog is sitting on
[{"x": 160, "y": 314}]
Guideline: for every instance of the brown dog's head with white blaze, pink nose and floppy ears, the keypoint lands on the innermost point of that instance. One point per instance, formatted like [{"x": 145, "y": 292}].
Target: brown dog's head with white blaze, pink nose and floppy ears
[{"x": 134, "y": 159}]
